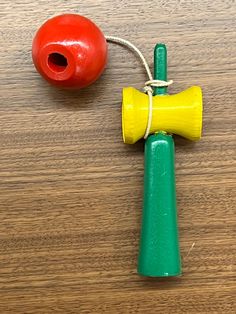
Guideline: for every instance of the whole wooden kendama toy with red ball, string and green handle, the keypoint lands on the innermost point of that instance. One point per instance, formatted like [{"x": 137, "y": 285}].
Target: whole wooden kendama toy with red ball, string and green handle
[{"x": 70, "y": 51}]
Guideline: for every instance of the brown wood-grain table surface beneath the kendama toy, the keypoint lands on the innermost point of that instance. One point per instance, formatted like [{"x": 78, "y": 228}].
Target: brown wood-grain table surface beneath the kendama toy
[{"x": 71, "y": 191}]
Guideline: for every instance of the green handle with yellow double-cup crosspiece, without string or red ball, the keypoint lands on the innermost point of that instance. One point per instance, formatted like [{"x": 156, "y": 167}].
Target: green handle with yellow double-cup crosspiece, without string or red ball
[{"x": 179, "y": 114}]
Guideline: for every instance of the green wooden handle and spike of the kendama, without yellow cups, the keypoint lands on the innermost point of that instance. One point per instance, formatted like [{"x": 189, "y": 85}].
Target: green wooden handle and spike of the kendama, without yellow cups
[{"x": 159, "y": 245}]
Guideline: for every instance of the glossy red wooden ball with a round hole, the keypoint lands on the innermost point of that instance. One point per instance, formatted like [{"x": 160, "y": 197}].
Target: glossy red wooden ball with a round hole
[{"x": 69, "y": 51}]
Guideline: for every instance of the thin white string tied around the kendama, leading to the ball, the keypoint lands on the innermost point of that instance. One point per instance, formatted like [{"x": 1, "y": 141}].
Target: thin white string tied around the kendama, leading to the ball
[{"x": 148, "y": 88}]
